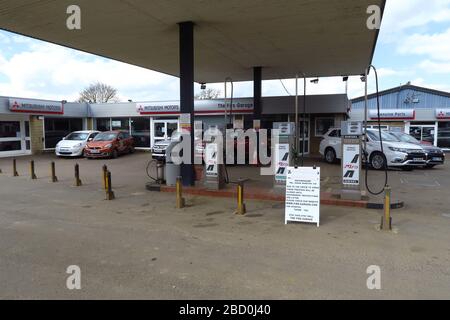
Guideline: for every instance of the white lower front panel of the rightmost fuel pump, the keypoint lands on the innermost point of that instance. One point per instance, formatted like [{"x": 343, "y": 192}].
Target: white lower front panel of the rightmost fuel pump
[{"x": 351, "y": 164}]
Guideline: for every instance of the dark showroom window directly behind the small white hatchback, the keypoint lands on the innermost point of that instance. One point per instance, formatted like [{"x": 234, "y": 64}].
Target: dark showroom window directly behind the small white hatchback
[{"x": 58, "y": 128}]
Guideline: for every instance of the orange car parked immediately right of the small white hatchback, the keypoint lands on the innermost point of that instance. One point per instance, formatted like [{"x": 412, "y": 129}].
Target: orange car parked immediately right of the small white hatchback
[{"x": 109, "y": 144}]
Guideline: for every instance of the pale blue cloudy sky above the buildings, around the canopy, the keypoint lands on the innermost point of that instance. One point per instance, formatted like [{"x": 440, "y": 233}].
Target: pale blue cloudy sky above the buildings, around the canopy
[{"x": 414, "y": 45}]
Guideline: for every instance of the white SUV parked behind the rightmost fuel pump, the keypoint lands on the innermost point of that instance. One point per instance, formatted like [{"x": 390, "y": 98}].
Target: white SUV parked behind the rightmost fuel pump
[{"x": 396, "y": 153}]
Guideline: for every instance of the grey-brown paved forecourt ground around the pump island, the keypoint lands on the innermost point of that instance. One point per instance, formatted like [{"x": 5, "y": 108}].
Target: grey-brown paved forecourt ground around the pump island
[{"x": 139, "y": 246}]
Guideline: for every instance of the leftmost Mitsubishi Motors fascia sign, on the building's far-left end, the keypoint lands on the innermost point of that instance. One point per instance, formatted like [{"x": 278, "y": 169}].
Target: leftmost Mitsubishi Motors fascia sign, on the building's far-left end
[{"x": 36, "y": 106}]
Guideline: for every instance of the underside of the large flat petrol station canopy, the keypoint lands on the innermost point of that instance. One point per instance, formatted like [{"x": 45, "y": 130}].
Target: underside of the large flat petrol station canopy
[{"x": 317, "y": 37}]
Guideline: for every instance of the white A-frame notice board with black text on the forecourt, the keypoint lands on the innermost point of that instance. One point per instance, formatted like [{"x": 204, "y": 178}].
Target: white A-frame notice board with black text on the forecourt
[{"x": 303, "y": 195}]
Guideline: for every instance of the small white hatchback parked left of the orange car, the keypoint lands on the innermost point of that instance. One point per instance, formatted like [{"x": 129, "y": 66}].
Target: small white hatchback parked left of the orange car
[{"x": 74, "y": 143}]
